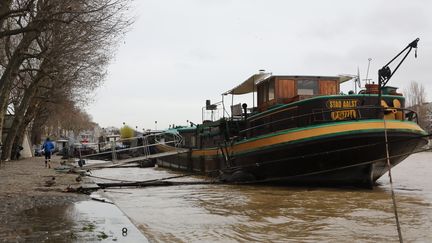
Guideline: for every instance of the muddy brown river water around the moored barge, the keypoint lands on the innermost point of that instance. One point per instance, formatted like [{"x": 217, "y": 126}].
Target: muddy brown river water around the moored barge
[{"x": 236, "y": 213}]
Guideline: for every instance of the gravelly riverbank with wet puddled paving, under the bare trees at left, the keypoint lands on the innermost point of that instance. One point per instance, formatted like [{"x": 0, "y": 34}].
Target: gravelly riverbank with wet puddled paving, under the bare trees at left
[{"x": 36, "y": 208}]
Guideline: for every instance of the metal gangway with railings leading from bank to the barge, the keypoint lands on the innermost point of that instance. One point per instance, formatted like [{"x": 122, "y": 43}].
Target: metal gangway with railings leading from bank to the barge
[{"x": 141, "y": 151}]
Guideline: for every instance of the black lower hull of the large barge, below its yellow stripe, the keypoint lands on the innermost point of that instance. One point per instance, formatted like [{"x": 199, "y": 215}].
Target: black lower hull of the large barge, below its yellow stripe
[{"x": 349, "y": 160}]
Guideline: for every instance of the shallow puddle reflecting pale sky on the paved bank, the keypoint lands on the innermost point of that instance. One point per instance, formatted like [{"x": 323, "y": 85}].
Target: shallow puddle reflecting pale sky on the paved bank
[{"x": 86, "y": 221}]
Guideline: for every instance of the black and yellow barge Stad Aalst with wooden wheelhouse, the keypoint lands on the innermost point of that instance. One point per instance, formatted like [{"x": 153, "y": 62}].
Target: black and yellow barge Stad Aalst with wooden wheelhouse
[{"x": 302, "y": 131}]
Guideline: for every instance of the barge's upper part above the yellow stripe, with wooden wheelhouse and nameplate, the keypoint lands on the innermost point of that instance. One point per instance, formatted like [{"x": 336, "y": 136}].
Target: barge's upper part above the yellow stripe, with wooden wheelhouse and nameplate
[{"x": 295, "y": 101}]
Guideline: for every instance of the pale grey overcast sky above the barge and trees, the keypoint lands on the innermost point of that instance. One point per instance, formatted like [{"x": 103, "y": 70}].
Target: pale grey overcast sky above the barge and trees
[{"x": 180, "y": 53}]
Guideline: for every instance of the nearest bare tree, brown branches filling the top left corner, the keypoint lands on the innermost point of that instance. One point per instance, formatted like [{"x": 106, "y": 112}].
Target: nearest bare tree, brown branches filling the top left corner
[{"x": 61, "y": 47}]
